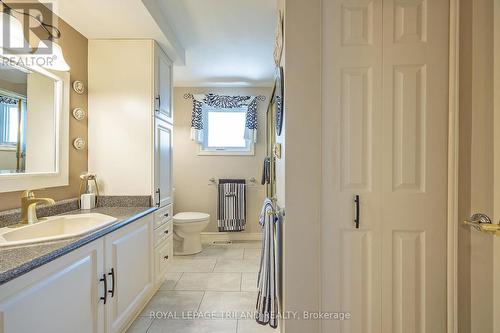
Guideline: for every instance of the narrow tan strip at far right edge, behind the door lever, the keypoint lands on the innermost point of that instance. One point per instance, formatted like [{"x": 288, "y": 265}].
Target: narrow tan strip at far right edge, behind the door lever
[{"x": 475, "y": 257}]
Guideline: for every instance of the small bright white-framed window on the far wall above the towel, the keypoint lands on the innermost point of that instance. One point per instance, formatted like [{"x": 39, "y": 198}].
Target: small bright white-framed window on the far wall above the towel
[{"x": 224, "y": 132}]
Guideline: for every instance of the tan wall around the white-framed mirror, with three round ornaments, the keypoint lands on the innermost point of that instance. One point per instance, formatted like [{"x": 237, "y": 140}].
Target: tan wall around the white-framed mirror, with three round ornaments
[{"x": 74, "y": 46}]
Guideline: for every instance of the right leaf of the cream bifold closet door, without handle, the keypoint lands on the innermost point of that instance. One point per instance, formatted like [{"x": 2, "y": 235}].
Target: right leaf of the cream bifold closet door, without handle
[{"x": 415, "y": 165}]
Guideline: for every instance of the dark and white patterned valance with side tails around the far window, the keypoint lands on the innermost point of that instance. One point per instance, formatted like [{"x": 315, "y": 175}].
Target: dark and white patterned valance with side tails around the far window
[{"x": 224, "y": 102}]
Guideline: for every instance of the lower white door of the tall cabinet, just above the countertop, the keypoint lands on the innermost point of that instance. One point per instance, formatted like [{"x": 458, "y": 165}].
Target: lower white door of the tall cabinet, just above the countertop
[{"x": 163, "y": 163}]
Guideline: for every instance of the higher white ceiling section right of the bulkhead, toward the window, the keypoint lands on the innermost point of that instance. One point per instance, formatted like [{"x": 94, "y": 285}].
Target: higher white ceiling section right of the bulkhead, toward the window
[{"x": 226, "y": 42}]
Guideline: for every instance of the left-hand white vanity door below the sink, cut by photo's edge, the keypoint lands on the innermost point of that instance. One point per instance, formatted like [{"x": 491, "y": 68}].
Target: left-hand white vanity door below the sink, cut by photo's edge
[{"x": 62, "y": 296}]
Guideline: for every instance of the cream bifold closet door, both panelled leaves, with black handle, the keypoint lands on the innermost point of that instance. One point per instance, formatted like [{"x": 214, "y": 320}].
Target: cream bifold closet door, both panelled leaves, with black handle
[{"x": 385, "y": 82}]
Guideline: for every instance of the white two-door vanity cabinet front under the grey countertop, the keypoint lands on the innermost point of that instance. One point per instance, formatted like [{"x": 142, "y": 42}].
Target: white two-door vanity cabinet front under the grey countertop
[{"x": 100, "y": 287}]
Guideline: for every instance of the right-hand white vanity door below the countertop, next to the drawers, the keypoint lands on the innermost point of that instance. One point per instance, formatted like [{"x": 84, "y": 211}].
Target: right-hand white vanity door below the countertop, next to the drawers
[{"x": 128, "y": 253}]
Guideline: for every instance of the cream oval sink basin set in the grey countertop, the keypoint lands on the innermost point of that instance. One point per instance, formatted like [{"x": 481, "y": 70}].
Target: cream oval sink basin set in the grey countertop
[{"x": 54, "y": 228}]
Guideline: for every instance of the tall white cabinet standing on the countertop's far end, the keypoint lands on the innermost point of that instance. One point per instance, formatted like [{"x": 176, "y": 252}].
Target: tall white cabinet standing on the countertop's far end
[{"x": 130, "y": 118}]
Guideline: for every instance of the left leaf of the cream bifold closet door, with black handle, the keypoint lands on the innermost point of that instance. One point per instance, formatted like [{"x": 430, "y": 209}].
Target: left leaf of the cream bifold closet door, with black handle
[{"x": 352, "y": 82}]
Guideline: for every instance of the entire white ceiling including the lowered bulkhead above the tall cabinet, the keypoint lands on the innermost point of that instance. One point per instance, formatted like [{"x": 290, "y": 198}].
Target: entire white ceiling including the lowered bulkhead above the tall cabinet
[{"x": 212, "y": 42}]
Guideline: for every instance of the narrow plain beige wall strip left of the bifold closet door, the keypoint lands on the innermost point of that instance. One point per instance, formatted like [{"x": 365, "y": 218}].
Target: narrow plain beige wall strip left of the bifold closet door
[{"x": 301, "y": 261}]
